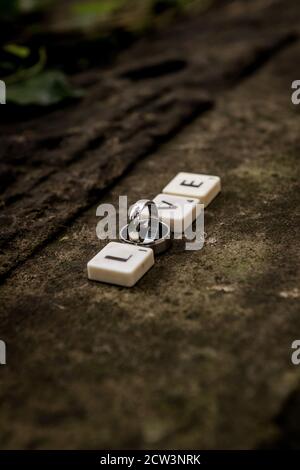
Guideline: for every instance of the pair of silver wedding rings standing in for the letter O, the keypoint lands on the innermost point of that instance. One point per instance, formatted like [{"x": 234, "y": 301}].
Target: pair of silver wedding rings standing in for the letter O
[{"x": 145, "y": 228}]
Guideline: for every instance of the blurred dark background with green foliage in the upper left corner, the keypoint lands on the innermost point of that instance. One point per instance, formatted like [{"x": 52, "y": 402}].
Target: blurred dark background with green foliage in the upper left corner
[{"x": 45, "y": 42}]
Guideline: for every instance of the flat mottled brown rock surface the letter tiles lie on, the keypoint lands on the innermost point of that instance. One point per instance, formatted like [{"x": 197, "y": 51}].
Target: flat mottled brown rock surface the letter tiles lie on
[{"x": 197, "y": 355}]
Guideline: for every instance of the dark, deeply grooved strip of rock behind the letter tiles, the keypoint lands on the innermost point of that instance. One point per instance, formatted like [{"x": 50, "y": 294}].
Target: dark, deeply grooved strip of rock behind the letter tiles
[{"x": 53, "y": 167}]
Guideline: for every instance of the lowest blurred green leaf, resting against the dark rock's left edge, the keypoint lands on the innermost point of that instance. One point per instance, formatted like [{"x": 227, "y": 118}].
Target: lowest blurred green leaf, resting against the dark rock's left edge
[{"x": 45, "y": 89}]
